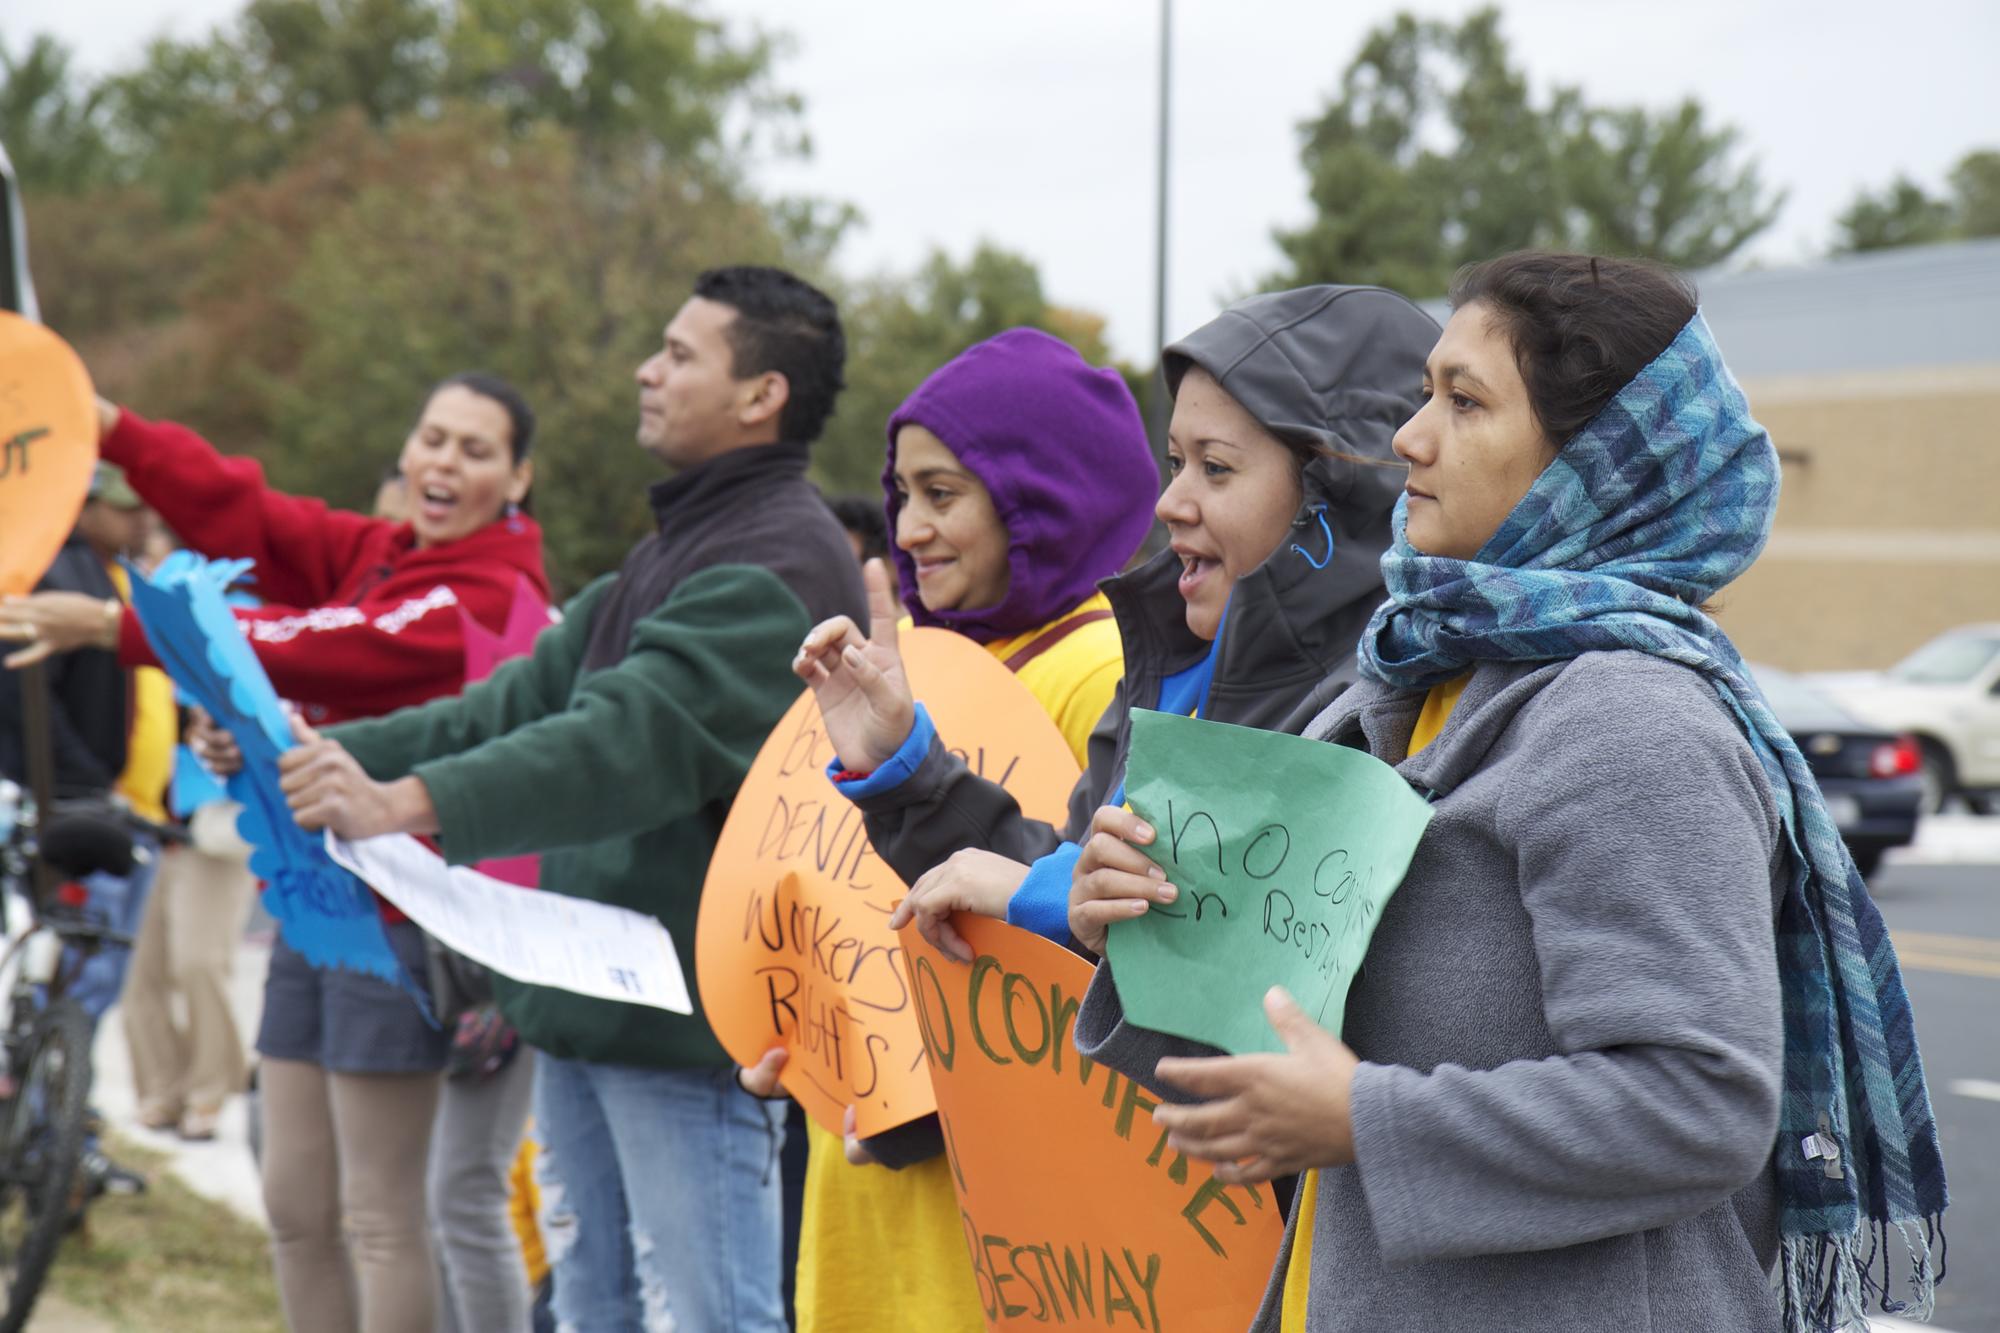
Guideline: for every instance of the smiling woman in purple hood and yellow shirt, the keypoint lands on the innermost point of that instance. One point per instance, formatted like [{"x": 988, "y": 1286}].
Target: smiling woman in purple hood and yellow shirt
[{"x": 1019, "y": 477}]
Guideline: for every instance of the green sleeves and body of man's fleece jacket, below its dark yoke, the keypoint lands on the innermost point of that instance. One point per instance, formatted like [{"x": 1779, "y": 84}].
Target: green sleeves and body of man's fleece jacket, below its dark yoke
[{"x": 619, "y": 778}]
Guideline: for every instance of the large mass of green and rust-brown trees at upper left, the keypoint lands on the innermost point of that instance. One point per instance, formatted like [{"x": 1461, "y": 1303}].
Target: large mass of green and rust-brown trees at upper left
[{"x": 313, "y": 213}]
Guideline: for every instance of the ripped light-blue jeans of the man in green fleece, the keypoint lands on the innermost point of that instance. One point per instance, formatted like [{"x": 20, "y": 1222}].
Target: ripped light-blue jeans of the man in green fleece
[{"x": 659, "y": 1200}]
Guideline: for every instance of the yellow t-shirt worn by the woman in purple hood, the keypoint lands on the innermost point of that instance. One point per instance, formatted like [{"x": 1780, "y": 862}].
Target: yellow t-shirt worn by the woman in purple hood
[{"x": 883, "y": 1252}]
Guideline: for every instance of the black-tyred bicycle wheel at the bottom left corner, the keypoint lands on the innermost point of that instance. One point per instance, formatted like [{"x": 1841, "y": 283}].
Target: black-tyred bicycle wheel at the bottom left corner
[{"x": 41, "y": 1146}]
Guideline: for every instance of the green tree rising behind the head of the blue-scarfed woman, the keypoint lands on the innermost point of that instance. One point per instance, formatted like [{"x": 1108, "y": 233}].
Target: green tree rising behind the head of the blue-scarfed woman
[{"x": 1435, "y": 153}]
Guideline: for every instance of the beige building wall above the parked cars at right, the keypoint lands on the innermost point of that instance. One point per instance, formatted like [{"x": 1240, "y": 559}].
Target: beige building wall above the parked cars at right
[{"x": 1889, "y": 527}]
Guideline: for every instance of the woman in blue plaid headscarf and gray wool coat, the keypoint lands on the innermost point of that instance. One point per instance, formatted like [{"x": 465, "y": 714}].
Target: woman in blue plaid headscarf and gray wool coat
[{"x": 1631, "y": 1040}]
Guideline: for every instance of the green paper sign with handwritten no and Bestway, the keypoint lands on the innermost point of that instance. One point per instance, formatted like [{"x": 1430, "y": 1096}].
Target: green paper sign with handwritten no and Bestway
[{"x": 1285, "y": 854}]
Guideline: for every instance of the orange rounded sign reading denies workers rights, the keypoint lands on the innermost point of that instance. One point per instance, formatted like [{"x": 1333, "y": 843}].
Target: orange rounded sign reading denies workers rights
[{"x": 793, "y": 948}]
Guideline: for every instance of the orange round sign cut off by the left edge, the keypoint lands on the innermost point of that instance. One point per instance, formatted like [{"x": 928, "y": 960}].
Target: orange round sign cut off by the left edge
[{"x": 49, "y": 445}]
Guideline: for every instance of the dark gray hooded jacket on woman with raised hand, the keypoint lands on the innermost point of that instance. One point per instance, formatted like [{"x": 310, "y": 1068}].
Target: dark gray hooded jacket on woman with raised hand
[{"x": 1337, "y": 367}]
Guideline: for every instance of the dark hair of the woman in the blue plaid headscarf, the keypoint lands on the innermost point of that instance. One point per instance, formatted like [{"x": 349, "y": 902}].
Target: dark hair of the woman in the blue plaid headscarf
[{"x": 1583, "y": 327}]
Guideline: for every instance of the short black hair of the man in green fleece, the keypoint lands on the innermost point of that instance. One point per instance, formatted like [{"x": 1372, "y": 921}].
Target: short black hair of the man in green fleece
[{"x": 787, "y": 325}]
